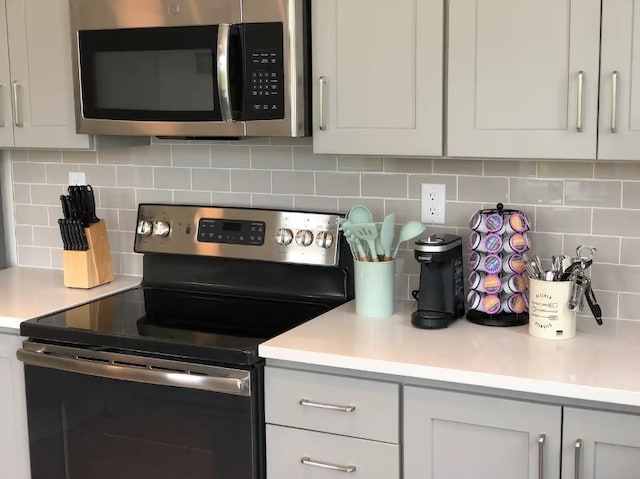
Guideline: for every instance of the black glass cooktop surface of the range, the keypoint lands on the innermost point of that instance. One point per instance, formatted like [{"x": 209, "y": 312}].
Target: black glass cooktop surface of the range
[{"x": 194, "y": 325}]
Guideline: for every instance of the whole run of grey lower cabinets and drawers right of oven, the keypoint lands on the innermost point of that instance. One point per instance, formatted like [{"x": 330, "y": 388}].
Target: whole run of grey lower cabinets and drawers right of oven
[{"x": 321, "y": 424}]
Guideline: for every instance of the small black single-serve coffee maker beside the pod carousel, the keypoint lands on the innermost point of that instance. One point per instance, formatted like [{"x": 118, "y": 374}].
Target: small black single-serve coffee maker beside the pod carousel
[{"x": 441, "y": 293}]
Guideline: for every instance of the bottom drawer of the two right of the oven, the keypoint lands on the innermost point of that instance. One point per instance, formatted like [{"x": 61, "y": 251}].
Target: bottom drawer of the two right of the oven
[{"x": 287, "y": 447}]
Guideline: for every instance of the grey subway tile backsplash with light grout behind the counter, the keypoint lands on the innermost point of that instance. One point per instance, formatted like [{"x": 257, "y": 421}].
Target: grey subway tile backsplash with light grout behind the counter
[{"x": 567, "y": 202}]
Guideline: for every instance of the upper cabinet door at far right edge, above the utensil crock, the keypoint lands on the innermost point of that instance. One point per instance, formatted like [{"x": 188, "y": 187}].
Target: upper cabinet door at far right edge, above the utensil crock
[{"x": 619, "y": 135}]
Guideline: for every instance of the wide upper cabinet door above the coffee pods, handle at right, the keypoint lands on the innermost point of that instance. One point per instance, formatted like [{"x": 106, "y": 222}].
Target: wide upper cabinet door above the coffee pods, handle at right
[{"x": 523, "y": 78}]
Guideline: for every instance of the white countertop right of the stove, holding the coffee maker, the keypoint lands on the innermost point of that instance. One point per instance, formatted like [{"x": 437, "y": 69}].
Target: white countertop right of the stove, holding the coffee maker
[{"x": 601, "y": 363}]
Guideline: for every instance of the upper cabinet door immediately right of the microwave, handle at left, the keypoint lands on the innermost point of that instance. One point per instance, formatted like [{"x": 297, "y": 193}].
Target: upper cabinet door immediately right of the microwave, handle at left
[{"x": 377, "y": 67}]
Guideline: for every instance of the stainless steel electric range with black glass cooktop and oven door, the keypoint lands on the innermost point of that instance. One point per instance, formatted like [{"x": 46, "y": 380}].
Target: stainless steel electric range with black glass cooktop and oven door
[{"x": 164, "y": 380}]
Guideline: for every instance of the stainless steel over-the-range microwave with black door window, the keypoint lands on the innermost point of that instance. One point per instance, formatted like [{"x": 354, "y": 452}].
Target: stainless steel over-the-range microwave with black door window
[{"x": 191, "y": 68}]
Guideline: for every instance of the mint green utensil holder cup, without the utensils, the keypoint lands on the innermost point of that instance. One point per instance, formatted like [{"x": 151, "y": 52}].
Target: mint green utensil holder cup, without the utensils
[{"x": 375, "y": 288}]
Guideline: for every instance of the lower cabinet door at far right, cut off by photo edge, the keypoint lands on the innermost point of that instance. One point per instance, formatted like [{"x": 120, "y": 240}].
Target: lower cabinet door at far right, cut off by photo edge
[{"x": 609, "y": 444}]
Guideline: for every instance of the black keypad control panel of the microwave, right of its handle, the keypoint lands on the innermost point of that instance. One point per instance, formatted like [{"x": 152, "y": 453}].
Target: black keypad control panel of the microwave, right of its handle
[{"x": 264, "y": 70}]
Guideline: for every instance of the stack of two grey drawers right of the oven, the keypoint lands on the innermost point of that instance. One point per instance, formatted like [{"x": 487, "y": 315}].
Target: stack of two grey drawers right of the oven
[{"x": 319, "y": 425}]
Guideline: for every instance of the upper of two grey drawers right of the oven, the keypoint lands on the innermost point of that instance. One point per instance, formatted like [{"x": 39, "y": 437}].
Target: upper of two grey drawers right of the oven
[{"x": 295, "y": 398}]
